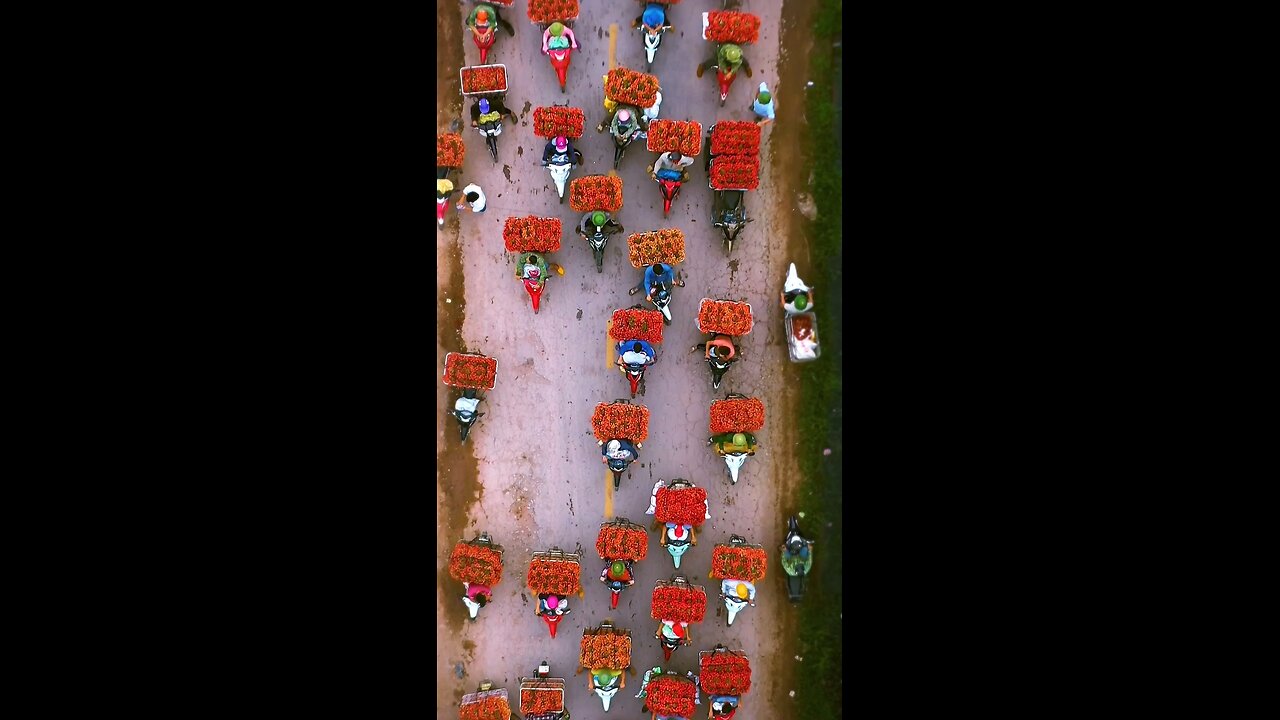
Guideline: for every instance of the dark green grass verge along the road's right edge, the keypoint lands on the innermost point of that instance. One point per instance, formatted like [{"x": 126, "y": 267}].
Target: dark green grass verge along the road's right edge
[{"x": 821, "y": 630}]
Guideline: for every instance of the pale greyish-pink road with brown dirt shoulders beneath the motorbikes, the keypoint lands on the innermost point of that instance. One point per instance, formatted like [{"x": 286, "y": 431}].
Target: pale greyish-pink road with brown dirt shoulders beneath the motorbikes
[{"x": 531, "y": 472}]
